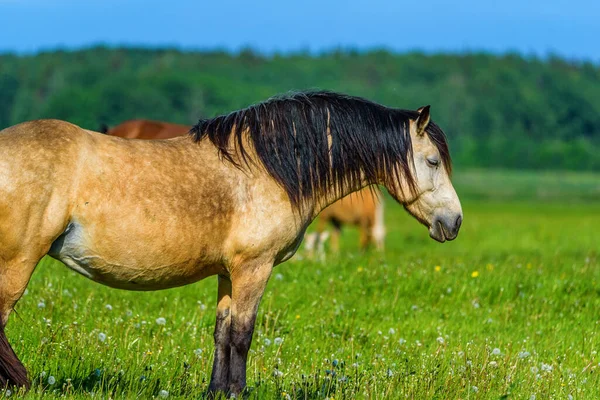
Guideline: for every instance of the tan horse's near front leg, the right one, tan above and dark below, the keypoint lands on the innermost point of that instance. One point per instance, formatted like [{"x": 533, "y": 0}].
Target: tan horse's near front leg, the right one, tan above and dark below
[{"x": 249, "y": 282}]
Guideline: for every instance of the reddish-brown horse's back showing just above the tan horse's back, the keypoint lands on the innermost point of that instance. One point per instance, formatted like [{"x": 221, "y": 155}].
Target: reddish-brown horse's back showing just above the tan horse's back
[{"x": 146, "y": 129}]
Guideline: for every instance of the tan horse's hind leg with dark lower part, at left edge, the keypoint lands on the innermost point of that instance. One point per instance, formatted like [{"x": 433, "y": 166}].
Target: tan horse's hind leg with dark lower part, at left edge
[{"x": 13, "y": 281}]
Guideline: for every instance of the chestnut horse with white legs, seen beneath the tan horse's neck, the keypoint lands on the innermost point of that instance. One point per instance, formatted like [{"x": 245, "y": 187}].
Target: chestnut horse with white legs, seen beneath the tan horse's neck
[{"x": 363, "y": 209}]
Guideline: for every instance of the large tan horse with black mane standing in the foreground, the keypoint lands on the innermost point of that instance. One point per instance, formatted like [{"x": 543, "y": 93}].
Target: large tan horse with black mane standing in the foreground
[{"x": 233, "y": 199}]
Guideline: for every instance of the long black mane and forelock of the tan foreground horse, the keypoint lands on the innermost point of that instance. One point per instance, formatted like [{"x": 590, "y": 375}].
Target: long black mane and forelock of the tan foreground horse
[{"x": 314, "y": 142}]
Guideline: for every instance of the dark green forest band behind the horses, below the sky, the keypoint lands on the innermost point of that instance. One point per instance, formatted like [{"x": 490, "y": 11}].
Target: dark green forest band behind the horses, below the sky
[{"x": 506, "y": 111}]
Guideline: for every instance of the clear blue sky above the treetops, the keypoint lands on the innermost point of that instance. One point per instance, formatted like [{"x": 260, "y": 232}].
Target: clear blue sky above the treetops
[{"x": 567, "y": 28}]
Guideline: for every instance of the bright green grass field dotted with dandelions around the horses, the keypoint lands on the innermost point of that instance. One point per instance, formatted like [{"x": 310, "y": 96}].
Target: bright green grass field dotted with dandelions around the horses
[{"x": 511, "y": 309}]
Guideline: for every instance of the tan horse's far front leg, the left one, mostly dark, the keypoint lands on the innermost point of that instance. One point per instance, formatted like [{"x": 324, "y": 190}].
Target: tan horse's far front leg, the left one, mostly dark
[{"x": 219, "y": 379}]
